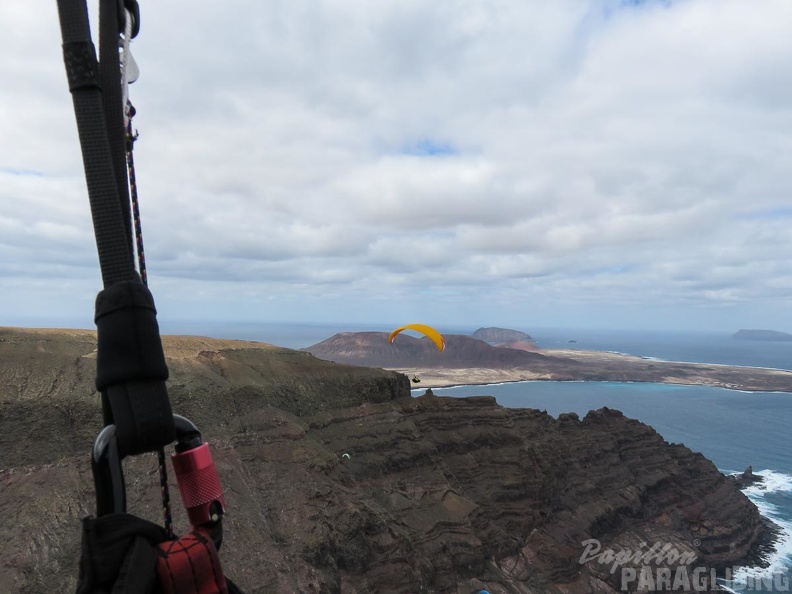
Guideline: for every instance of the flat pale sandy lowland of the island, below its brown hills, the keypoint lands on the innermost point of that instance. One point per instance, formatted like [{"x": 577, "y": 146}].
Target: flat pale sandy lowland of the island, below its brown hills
[{"x": 602, "y": 366}]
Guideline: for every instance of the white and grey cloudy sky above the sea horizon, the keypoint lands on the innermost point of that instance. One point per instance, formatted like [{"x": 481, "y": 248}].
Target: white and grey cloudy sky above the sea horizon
[{"x": 575, "y": 163}]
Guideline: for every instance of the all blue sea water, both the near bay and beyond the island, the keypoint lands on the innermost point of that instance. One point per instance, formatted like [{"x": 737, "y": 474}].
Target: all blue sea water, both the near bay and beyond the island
[{"x": 733, "y": 429}]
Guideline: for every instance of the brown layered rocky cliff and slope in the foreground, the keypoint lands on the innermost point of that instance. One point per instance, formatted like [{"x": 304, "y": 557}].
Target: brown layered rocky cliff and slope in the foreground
[{"x": 436, "y": 495}]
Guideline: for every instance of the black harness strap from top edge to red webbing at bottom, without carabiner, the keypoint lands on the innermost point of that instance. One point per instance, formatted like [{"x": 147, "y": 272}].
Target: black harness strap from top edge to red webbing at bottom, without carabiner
[{"x": 120, "y": 553}]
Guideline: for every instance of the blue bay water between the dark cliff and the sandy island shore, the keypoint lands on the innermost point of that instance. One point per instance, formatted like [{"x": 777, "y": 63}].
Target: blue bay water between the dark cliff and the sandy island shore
[{"x": 733, "y": 429}]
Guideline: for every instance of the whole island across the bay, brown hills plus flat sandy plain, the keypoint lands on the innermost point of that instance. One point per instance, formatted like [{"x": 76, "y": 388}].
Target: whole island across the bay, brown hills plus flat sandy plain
[{"x": 467, "y": 360}]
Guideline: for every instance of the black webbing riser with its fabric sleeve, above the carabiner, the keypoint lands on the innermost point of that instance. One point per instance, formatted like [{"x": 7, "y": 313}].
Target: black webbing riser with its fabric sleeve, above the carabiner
[{"x": 131, "y": 369}]
